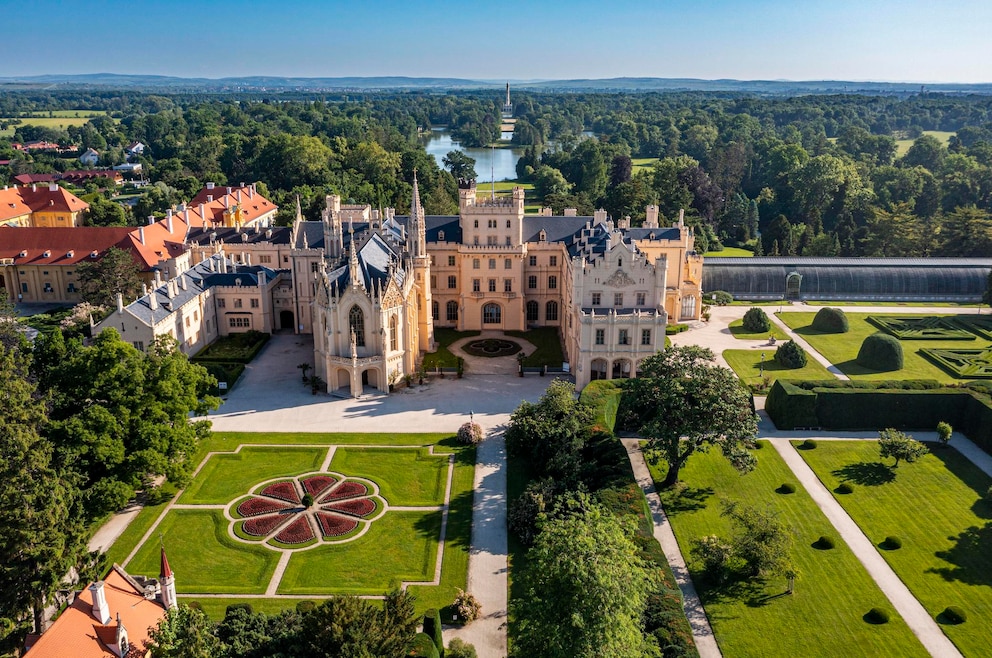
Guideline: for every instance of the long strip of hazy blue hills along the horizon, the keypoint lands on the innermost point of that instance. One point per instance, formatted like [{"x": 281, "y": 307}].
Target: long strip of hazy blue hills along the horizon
[{"x": 283, "y": 84}]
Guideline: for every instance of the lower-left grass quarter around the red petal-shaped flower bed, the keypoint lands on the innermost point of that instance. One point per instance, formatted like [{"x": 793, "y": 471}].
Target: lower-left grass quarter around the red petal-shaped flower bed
[{"x": 204, "y": 557}]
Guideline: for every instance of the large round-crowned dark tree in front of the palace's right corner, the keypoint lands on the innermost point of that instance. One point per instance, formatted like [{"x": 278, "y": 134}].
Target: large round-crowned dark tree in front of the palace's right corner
[{"x": 682, "y": 403}]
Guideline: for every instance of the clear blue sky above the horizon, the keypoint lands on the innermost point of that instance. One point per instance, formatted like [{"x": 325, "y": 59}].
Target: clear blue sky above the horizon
[{"x": 898, "y": 41}]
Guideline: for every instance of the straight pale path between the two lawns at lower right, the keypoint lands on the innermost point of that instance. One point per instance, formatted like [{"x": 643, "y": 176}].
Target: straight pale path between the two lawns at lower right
[{"x": 915, "y": 615}]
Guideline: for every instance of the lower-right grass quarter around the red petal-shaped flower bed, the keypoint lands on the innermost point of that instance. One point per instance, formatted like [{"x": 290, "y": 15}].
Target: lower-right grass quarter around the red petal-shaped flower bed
[{"x": 400, "y": 546}]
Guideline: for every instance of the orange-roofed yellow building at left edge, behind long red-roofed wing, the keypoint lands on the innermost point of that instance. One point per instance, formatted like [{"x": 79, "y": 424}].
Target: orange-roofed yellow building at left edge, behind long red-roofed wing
[{"x": 40, "y": 205}]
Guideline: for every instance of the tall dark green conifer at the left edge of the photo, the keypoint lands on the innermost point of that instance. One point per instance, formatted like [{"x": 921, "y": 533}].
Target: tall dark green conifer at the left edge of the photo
[{"x": 41, "y": 534}]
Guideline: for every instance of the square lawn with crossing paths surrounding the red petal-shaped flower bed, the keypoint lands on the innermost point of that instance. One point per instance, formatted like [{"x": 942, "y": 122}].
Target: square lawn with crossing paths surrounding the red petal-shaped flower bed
[{"x": 217, "y": 563}]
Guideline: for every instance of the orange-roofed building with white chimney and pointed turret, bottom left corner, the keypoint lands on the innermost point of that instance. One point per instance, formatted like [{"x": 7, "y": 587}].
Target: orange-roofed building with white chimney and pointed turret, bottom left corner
[{"x": 111, "y": 617}]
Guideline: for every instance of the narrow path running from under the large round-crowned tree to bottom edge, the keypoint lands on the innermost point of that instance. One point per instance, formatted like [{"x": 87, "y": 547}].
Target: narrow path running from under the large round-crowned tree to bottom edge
[{"x": 702, "y": 634}]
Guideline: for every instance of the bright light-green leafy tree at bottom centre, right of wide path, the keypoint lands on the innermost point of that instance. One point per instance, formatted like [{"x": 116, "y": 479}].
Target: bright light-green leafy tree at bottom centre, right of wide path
[{"x": 583, "y": 588}]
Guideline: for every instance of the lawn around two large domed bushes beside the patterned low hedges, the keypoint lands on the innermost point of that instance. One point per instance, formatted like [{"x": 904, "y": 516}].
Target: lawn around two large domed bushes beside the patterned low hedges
[{"x": 842, "y": 349}]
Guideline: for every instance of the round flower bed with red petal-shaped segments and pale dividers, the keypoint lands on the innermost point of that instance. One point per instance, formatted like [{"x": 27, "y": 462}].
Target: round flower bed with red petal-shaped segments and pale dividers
[{"x": 275, "y": 513}]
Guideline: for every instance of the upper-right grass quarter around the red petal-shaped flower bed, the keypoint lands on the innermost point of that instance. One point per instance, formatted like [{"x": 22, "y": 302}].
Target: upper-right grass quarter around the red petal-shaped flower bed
[{"x": 410, "y": 478}]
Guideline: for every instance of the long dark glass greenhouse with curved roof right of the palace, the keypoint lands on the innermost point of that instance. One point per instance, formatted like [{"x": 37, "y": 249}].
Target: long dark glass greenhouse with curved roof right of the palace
[{"x": 851, "y": 279}]
